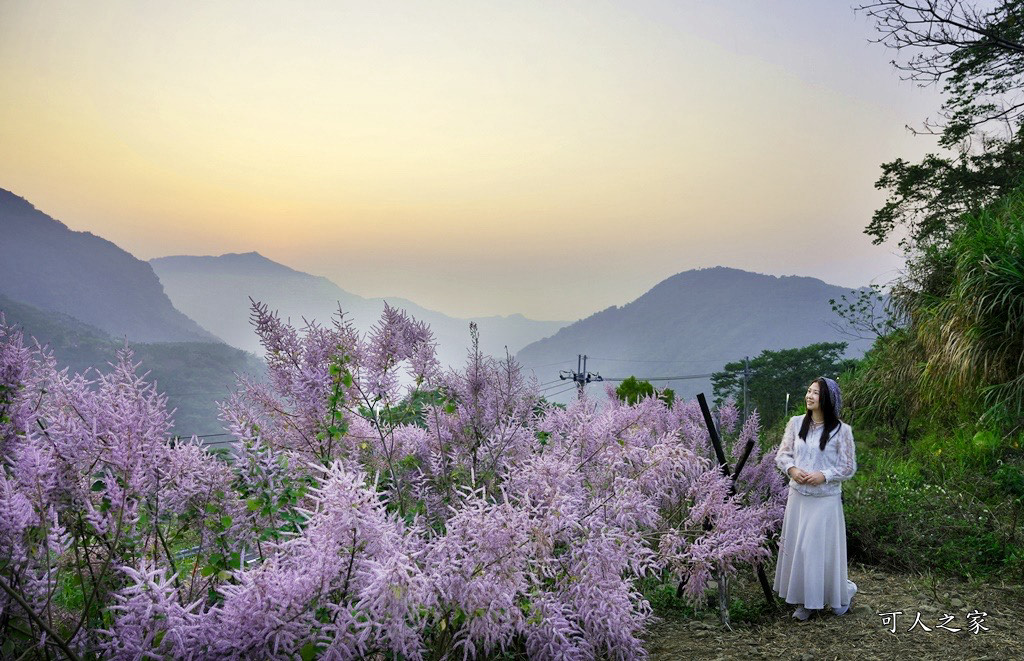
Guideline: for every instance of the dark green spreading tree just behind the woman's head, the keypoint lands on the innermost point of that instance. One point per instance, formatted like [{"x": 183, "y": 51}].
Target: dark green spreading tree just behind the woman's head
[{"x": 774, "y": 374}]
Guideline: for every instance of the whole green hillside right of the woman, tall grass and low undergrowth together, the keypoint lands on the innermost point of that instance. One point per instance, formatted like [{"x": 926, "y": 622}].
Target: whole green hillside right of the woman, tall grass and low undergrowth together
[{"x": 938, "y": 403}]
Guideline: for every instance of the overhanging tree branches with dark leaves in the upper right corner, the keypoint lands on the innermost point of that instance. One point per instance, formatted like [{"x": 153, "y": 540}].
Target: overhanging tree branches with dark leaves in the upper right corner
[{"x": 978, "y": 58}]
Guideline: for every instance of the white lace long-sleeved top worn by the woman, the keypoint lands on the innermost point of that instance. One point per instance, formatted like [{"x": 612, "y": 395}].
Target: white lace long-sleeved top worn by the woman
[{"x": 837, "y": 463}]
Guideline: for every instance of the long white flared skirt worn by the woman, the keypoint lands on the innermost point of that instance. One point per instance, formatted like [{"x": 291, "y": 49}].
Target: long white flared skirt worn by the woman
[{"x": 812, "y": 568}]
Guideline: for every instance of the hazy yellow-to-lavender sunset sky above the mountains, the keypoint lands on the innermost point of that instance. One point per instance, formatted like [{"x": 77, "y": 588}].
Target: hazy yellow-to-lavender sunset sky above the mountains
[{"x": 479, "y": 158}]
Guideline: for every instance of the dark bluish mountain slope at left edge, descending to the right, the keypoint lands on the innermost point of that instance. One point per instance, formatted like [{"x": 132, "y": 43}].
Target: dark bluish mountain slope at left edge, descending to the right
[{"x": 47, "y": 266}]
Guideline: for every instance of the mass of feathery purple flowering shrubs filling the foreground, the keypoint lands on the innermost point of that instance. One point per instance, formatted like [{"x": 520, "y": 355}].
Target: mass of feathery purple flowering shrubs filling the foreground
[{"x": 375, "y": 505}]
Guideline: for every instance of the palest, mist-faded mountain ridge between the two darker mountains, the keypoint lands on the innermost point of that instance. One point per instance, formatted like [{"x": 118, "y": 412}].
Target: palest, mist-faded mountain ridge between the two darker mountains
[{"x": 216, "y": 292}]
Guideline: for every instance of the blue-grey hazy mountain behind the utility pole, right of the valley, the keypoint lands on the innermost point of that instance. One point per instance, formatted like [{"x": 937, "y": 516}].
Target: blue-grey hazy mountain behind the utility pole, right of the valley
[{"x": 694, "y": 323}]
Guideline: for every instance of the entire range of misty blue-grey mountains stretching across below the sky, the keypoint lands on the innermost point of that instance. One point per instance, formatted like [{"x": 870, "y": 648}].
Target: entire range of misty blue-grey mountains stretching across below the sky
[{"x": 86, "y": 296}]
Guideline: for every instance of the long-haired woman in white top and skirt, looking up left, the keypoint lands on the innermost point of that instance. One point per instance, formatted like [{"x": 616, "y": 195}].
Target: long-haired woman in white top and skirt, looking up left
[{"x": 818, "y": 454}]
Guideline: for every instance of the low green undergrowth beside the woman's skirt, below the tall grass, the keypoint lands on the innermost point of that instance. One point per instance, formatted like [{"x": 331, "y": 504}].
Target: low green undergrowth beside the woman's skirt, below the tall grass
[{"x": 952, "y": 505}]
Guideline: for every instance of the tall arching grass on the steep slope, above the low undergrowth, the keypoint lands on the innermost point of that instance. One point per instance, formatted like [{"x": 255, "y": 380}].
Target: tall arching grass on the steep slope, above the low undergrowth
[{"x": 959, "y": 359}]
